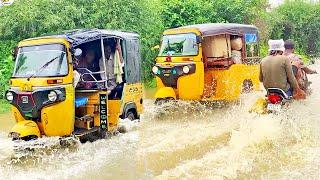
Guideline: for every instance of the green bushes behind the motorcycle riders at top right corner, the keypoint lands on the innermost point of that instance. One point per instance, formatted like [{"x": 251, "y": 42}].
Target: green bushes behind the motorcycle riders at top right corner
[{"x": 300, "y": 21}]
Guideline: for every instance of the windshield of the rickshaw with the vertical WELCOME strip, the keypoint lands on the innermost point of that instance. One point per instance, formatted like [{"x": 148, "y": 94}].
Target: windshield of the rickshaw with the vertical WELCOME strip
[{"x": 41, "y": 61}]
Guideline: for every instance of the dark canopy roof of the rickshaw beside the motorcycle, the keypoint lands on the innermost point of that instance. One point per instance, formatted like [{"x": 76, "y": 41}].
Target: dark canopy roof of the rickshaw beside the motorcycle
[{"x": 220, "y": 28}]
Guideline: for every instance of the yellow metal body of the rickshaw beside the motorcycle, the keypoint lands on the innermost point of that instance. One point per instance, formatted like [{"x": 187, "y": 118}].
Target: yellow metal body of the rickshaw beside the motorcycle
[{"x": 206, "y": 84}]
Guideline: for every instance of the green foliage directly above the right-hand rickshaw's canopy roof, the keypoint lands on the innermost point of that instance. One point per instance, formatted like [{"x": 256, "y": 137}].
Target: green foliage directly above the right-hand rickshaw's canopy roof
[{"x": 177, "y": 13}]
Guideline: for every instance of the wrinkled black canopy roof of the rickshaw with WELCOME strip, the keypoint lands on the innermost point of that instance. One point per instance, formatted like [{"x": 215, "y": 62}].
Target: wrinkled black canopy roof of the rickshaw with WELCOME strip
[{"x": 80, "y": 36}]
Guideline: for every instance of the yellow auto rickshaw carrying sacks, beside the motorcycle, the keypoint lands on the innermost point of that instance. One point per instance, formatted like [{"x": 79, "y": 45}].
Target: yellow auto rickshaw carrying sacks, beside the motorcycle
[{"x": 207, "y": 62}]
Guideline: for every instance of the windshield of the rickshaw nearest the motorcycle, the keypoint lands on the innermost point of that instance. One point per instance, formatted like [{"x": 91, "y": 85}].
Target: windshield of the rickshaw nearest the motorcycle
[{"x": 179, "y": 45}]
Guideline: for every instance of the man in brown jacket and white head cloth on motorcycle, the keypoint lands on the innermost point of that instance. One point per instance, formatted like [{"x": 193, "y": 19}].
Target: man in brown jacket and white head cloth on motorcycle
[{"x": 276, "y": 71}]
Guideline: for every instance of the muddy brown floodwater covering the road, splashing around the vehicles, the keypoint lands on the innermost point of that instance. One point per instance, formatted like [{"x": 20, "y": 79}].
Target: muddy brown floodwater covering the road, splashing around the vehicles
[{"x": 188, "y": 141}]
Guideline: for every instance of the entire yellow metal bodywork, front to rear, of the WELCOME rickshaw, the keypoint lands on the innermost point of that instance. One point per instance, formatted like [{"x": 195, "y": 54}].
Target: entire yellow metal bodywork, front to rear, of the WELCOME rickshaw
[{"x": 59, "y": 119}]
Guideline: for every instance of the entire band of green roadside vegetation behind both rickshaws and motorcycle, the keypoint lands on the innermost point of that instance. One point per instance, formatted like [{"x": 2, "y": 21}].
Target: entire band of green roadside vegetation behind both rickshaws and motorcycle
[{"x": 296, "y": 20}]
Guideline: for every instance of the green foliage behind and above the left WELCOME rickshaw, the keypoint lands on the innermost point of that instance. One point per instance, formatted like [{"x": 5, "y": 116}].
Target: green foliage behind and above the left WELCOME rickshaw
[{"x": 32, "y": 18}]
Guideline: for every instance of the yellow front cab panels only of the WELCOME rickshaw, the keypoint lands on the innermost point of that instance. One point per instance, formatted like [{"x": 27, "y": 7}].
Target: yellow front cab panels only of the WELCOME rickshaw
[{"x": 57, "y": 119}]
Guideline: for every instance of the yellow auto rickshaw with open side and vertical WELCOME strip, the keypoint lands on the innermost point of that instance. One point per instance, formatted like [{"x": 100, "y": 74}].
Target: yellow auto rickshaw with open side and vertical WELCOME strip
[{"x": 61, "y": 84}]
